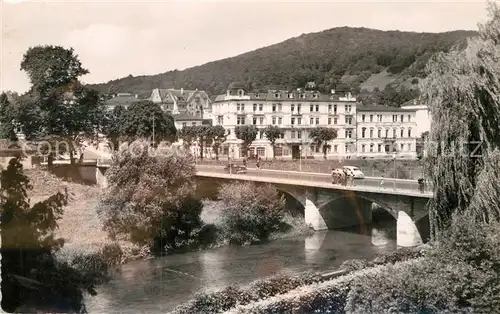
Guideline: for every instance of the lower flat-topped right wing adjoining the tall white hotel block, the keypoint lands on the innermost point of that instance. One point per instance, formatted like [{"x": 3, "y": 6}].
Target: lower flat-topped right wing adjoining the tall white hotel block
[{"x": 386, "y": 132}]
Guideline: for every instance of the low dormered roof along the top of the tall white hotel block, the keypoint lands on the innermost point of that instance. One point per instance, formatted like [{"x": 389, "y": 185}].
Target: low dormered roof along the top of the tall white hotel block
[{"x": 284, "y": 95}]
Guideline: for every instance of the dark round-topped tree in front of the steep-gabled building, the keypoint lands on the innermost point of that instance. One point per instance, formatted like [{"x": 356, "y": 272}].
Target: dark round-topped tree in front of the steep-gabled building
[{"x": 139, "y": 120}]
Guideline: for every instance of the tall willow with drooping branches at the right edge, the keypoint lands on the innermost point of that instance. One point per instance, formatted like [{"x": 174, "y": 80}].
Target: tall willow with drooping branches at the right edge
[{"x": 462, "y": 90}]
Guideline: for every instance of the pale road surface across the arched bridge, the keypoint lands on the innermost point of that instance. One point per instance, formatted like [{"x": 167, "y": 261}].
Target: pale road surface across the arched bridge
[{"x": 372, "y": 182}]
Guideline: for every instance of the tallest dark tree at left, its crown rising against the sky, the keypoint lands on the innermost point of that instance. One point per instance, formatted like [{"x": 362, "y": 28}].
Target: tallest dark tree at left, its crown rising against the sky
[{"x": 62, "y": 108}]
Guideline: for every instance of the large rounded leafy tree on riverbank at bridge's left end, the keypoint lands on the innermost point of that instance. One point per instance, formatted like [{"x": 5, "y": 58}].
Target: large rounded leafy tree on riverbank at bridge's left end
[{"x": 150, "y": 197}]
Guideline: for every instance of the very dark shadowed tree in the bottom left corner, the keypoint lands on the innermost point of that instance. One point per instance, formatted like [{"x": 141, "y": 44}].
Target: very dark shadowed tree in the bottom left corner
[{"x": 28, "y": 246}]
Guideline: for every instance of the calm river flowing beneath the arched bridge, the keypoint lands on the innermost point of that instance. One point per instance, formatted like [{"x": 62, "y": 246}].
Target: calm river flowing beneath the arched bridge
[{"x": 158, "y": 285}]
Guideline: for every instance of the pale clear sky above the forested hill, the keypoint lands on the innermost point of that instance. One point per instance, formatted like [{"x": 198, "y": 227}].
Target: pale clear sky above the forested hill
[{"x": 116, "y": 38}]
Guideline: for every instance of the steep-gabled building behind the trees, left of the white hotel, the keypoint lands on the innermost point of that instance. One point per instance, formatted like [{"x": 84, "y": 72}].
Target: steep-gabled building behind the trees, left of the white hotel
[{"x": 188, "y": 107}]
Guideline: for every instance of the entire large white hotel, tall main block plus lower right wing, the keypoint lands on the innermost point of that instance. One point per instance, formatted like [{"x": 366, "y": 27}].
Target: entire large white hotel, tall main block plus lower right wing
[{"x": 362, "y": 132}]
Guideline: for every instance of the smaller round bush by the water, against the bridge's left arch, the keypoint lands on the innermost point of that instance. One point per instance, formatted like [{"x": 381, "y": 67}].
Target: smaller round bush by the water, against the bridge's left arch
[{"x": 250, "y": 212}]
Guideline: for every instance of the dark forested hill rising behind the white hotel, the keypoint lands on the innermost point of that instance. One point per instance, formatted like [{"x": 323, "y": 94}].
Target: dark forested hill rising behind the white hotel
[{"x": 358, "y": 58}]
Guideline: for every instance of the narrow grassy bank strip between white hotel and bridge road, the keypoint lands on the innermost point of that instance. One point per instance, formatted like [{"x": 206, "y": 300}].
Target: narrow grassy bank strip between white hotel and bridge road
[{"x": 402, "y": 169}]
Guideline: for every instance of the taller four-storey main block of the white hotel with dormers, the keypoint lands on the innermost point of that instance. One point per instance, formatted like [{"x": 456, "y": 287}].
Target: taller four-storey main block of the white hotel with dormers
[{"x": 295, "y": 112}]
